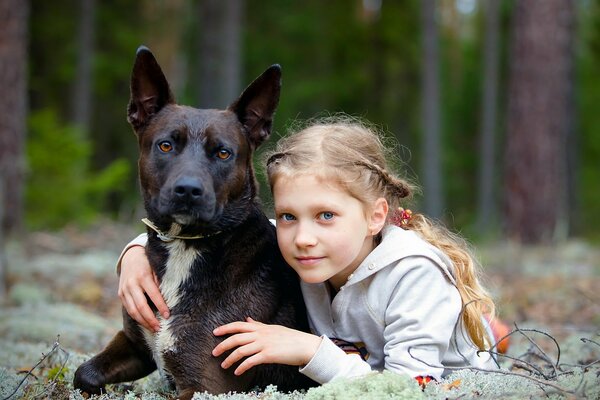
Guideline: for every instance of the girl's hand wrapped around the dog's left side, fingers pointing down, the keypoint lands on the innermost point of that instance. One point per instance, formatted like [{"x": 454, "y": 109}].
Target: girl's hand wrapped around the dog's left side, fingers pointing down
[{"x": 137, "y": 279}]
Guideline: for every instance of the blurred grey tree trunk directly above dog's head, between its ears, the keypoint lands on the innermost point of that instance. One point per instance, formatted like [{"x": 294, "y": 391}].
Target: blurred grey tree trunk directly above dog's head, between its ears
[{"x": 220, "y": 51}]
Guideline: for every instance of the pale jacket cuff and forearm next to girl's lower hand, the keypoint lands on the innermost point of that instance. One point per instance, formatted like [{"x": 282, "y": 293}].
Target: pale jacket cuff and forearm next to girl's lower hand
[{"x": 330, "y": 362}]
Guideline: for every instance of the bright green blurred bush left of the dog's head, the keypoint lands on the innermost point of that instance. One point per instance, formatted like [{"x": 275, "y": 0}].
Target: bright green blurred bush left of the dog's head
[{"x": 61, "y": 188}]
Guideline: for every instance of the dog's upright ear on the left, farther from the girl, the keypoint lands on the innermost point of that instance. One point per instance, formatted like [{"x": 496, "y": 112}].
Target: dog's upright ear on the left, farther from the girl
[{"x": 150, "y": 90}]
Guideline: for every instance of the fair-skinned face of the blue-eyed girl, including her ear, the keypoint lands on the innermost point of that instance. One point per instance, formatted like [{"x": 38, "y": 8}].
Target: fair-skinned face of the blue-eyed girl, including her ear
[{"x": 322, "y": 231}]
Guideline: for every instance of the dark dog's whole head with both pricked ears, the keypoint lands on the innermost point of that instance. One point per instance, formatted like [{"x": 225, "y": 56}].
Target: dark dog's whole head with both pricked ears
[{"x": 195, "y": 165}]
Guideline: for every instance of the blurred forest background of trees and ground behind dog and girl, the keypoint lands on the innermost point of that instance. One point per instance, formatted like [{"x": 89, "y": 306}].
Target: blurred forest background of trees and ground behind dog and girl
[{"x": 491, "y": 106}]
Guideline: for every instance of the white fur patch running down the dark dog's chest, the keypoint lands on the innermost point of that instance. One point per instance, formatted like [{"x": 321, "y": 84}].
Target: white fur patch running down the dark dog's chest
[{"x": 176, "y": 272}]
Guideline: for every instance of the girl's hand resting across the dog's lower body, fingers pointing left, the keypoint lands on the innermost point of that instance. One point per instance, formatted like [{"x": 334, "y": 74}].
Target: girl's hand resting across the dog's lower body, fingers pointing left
[{"x": 264, "y": 344}]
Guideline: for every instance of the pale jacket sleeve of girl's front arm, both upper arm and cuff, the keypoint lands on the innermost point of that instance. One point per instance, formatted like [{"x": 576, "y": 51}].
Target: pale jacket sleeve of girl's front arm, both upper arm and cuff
[{"x": 420, "y": 319}]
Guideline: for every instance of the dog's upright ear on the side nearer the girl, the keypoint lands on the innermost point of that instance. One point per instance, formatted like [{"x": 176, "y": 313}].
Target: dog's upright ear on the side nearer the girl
[{"x": 256, "y": 106}]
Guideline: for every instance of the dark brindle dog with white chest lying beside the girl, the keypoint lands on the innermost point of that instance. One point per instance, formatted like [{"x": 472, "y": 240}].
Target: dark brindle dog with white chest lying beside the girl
[{"x": 211, "y": 247}]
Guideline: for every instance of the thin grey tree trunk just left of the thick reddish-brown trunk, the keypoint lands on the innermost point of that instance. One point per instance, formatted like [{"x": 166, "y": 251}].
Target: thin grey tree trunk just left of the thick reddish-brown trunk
[{"x": 487, "y": 152}]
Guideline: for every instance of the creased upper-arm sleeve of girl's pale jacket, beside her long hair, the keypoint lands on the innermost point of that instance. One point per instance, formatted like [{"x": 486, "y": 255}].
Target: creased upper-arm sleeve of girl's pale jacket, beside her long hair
[{"x": 420, "y": 319}]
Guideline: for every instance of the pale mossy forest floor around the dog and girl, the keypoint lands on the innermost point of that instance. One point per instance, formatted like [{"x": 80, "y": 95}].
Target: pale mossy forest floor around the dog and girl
[{"x": 63, "y": 307}]
